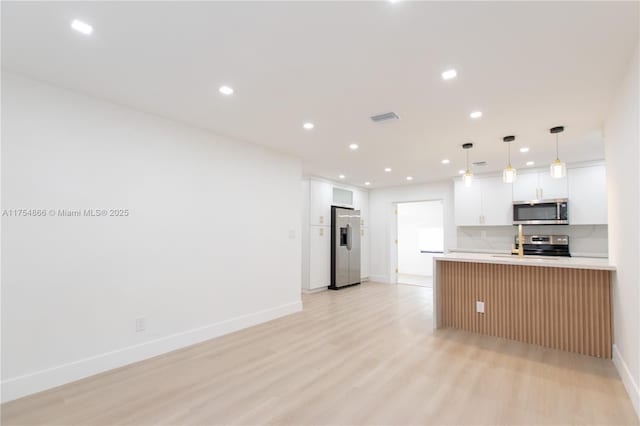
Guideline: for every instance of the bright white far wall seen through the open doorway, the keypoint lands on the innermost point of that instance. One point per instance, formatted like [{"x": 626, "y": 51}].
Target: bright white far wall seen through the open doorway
[{"x": 412, "y": 218}]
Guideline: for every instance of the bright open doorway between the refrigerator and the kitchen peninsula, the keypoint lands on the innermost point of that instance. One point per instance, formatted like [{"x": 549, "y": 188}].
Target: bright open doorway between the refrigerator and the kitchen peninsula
[{"x": 420, "y": 231}]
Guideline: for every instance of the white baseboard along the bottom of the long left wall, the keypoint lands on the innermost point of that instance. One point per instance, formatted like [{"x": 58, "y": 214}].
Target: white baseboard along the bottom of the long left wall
[{"x": 18, "y": 387}]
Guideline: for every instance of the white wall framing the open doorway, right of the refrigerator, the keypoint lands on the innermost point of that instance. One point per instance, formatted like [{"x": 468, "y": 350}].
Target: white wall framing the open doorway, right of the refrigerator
[{"x": 383, "y": 228}]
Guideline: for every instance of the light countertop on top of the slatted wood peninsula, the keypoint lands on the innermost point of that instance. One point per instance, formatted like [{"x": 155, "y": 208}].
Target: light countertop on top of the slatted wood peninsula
[{"x": 550, "y": 262}]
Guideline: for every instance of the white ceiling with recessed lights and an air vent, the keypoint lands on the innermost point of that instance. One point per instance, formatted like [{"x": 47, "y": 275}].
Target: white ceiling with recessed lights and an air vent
[{"x": 526, "y": 66}]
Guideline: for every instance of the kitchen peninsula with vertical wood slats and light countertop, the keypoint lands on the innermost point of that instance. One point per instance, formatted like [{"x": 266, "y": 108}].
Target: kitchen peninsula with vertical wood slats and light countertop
[{"x": 561, "y": 303}]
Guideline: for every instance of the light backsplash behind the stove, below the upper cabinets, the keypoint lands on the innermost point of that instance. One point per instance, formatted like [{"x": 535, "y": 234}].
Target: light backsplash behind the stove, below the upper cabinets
[{"x": 584, "y": 240}]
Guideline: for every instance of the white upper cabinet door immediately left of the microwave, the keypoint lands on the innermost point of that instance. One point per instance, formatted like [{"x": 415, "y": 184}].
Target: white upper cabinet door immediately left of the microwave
[{"x": 496, "y": 202}]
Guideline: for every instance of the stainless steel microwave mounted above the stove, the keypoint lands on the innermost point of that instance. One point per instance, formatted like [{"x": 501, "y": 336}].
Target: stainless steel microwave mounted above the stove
[{"x": 541, "y": 212}]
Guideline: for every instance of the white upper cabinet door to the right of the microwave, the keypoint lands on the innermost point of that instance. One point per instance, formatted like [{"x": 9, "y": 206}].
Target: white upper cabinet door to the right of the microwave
[{"x": 587, "y": 195}]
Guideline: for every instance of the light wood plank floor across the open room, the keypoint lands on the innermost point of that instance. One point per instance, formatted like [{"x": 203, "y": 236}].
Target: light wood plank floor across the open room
[{"x": 362, "y": 355}]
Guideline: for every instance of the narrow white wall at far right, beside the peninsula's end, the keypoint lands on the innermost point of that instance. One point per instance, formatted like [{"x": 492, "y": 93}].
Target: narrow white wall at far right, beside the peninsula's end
[{"x": 623, "y": 185}]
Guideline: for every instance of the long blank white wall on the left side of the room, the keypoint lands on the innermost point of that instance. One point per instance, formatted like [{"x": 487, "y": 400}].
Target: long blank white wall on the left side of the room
[{"x": 209, "y": 246}]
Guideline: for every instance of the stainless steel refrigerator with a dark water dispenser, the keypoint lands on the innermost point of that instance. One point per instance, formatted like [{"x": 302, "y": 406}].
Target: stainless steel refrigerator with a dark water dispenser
[{"x": 345, "y": 247}]
